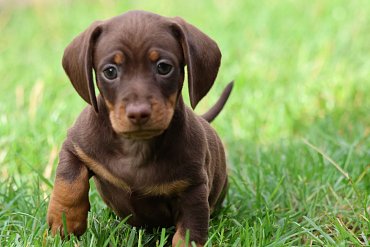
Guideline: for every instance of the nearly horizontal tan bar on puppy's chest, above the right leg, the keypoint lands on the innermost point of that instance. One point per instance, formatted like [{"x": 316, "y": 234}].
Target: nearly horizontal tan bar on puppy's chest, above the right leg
[{"x": 165, "y": 189}]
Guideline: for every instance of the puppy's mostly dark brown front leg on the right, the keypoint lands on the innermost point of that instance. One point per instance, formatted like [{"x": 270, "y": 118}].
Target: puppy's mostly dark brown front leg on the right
[{"x": 193, "y": 216}]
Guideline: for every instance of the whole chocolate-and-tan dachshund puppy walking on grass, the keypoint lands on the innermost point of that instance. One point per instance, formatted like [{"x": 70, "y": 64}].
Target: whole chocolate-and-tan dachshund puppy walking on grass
[{"x": 152, "y": 158}]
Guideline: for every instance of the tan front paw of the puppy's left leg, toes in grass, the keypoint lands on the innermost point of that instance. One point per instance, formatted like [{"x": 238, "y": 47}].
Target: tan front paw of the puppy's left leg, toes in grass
[{"x": 75, "y": 215}]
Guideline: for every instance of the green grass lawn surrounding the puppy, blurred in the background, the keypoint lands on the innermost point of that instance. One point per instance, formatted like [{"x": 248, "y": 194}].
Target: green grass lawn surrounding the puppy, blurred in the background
[{"x": 296, "y": 128}]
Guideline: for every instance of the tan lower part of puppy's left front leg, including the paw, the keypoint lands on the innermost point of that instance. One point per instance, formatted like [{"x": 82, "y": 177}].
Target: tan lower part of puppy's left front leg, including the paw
[{"x": 72, "y": 199}]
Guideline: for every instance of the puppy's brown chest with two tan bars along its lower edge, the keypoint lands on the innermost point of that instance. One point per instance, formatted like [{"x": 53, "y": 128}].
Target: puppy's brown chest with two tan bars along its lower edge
[{"x": 137, "y": 169}]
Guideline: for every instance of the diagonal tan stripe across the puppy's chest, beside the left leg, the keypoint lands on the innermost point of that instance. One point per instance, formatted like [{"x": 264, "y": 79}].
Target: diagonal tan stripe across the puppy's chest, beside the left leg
[{"x": 100, "y": 171}]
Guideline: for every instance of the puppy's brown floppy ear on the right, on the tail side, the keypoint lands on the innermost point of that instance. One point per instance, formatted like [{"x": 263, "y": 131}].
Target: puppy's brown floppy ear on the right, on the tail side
[{"x": 202, "y": 57}]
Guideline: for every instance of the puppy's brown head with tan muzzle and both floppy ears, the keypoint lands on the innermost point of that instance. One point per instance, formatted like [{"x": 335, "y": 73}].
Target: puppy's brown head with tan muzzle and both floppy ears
[{"x": 138, "y": 59}]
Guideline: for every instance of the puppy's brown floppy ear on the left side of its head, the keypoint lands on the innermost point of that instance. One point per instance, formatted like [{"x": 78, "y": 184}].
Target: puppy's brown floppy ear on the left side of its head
[{"x": 77, "y": 63}]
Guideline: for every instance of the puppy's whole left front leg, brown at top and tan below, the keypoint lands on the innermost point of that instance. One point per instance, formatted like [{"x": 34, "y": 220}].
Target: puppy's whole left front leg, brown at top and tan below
[{"x": 70, "y": 195}]
